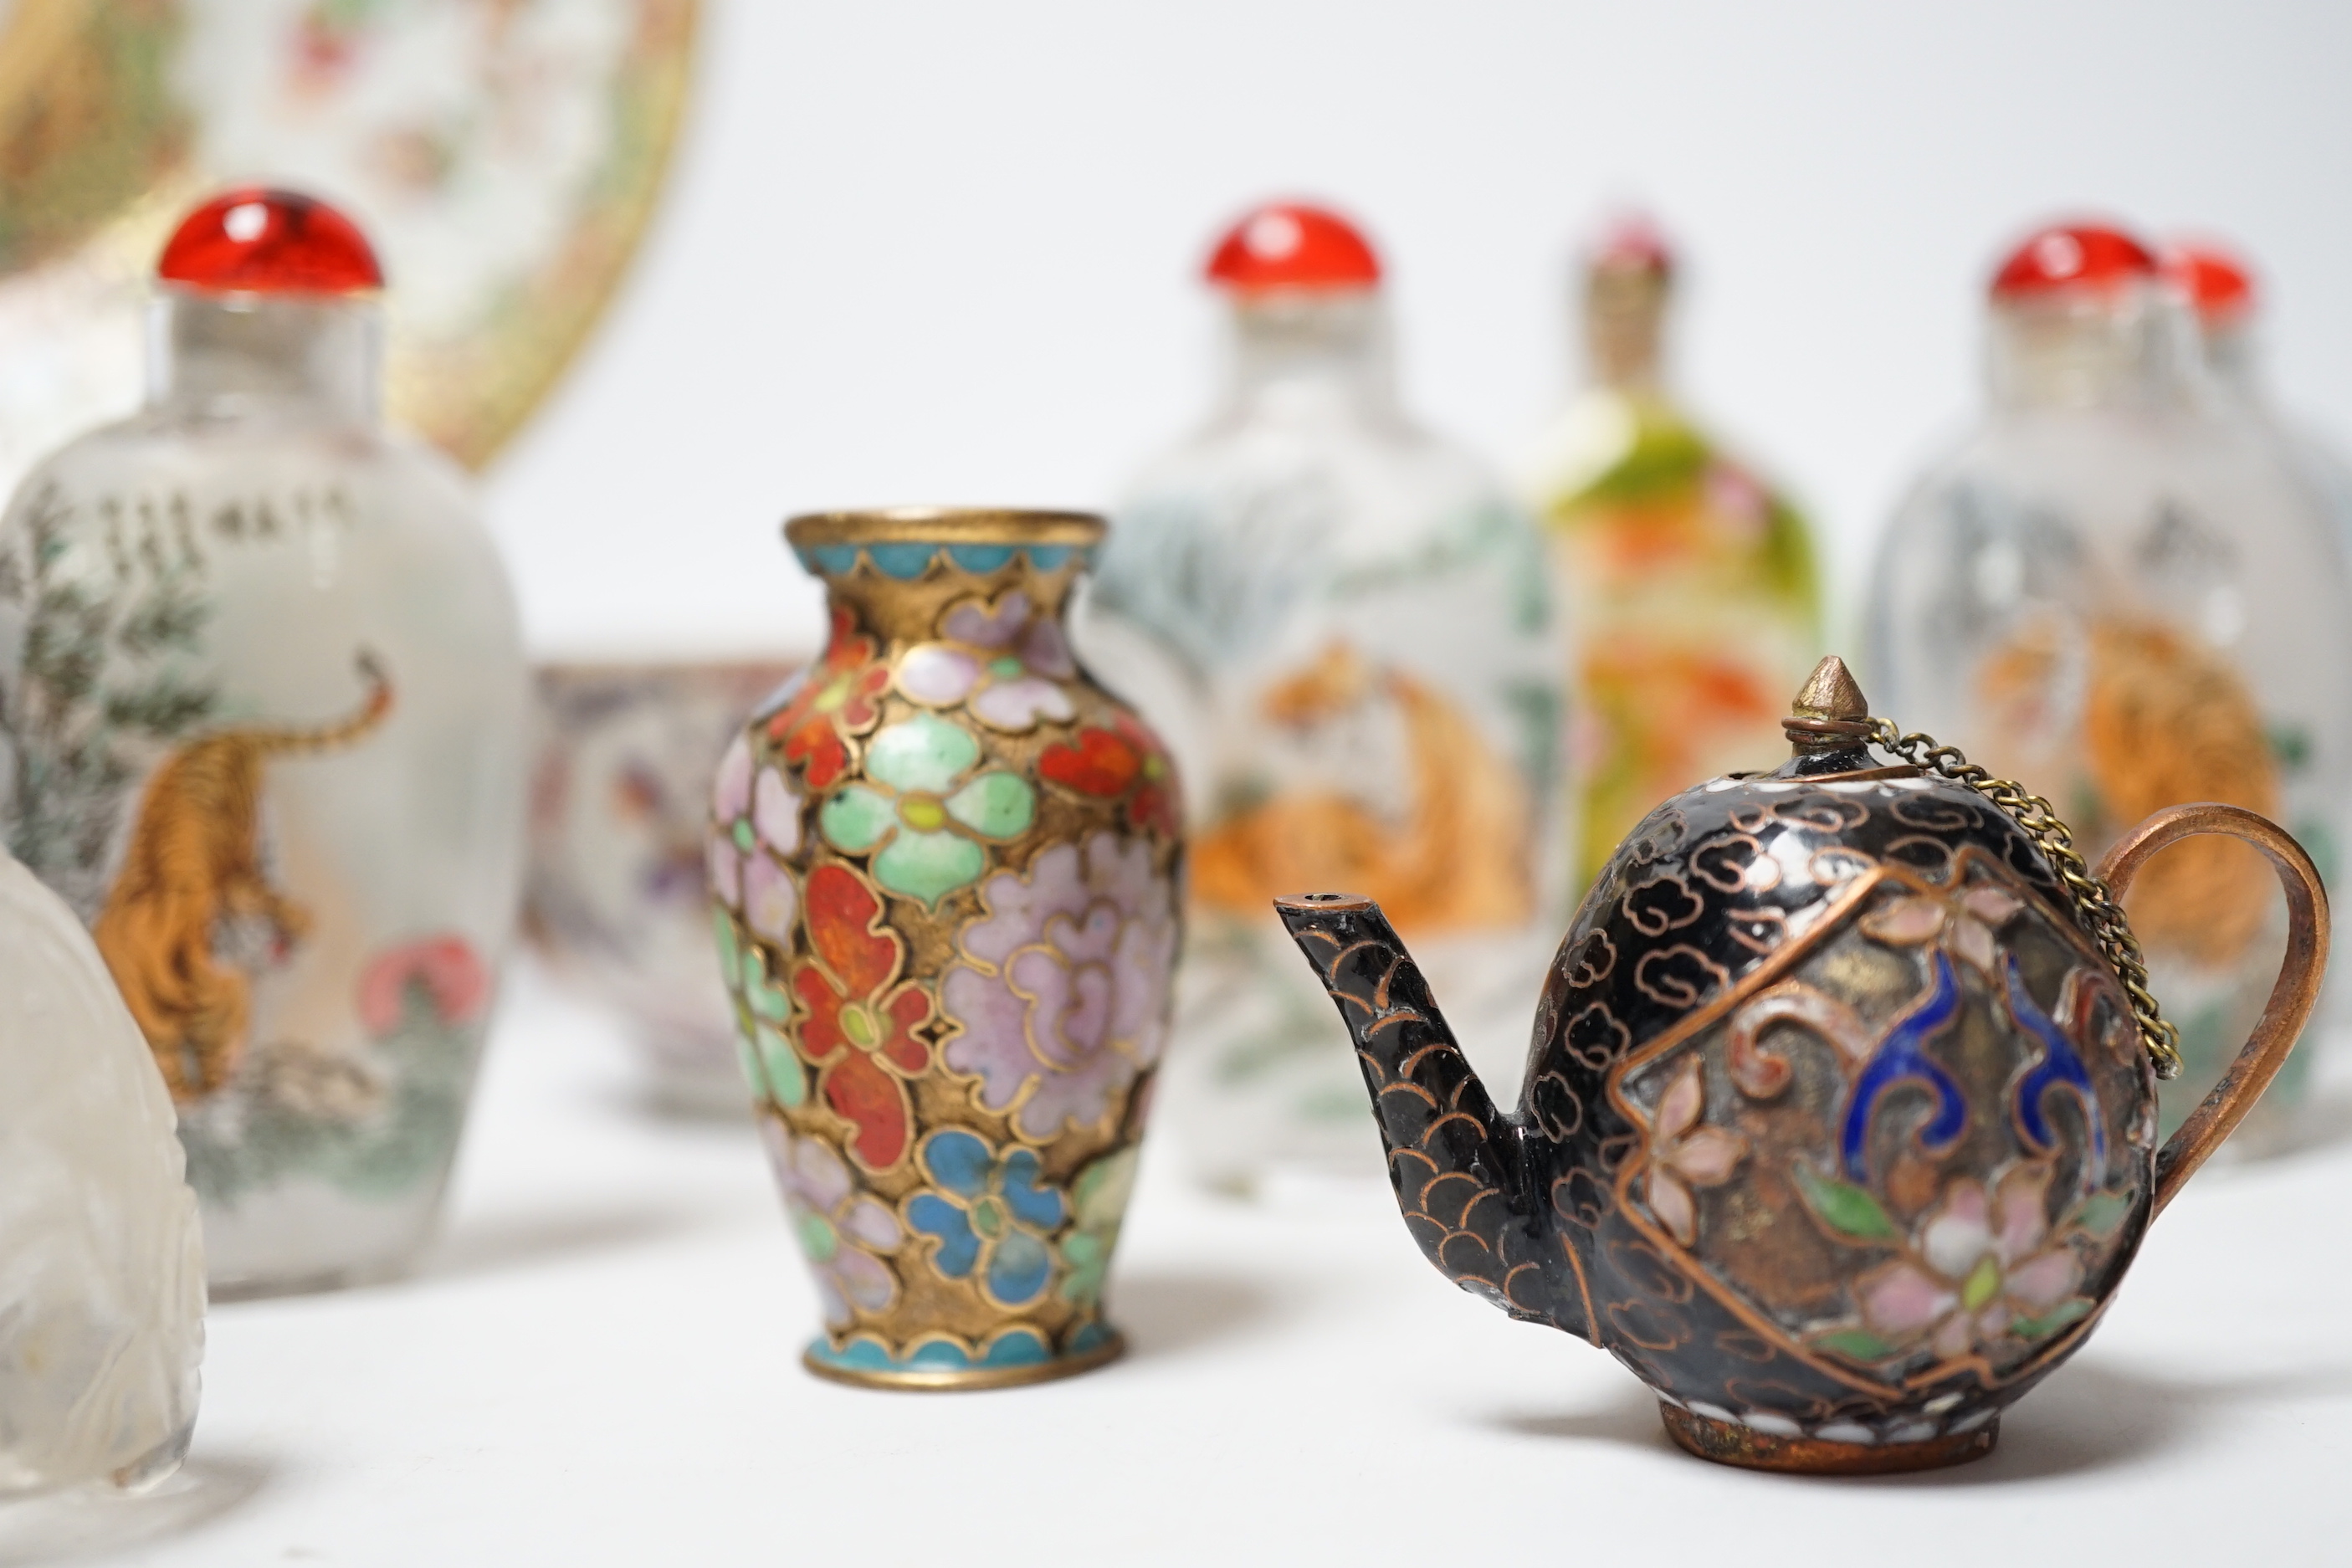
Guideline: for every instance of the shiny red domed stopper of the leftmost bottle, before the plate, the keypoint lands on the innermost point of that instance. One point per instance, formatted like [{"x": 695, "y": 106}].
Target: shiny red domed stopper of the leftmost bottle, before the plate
[{"x": 269, "y": 243}]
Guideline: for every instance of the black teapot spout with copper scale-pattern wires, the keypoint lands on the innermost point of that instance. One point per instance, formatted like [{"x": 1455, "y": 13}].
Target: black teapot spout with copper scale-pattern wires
[{"x": 1457, "y": 1165}]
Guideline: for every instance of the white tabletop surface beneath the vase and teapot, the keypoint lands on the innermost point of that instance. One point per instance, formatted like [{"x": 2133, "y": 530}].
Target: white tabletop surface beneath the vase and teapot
[{"x": 599, "y": 1365}]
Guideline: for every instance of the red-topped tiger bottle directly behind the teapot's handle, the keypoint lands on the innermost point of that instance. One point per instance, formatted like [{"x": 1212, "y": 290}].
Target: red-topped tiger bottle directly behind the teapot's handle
[{"x": 2123, "y": 596}]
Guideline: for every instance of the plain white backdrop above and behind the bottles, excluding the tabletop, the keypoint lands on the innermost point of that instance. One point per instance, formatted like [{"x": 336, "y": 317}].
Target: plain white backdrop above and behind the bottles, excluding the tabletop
[{"x": 949, "y": 250}]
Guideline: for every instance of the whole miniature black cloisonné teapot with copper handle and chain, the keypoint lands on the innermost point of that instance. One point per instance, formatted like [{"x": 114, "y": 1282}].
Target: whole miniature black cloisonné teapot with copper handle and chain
[{"x": 1840, "y": 1118}]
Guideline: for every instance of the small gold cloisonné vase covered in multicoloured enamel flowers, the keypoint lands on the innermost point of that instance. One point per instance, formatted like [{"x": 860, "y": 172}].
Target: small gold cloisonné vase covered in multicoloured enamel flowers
[{"x": 944, "y": 866}]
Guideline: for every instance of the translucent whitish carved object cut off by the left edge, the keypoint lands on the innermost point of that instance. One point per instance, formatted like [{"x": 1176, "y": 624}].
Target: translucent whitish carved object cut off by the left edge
[{"x": 105, "y": 1325}]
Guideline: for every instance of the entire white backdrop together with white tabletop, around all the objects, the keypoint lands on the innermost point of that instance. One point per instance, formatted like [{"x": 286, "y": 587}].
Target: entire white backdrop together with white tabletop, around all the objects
[{"x": 947, "y": 253}]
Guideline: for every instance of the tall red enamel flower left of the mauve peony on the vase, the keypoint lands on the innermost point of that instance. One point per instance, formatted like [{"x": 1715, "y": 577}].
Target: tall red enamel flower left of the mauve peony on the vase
[{"x": 860, "y": 1026}]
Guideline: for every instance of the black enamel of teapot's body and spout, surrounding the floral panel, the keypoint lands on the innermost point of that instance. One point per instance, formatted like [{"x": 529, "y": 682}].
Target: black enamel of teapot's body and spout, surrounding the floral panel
[{"x": 1521, "y": 1207}]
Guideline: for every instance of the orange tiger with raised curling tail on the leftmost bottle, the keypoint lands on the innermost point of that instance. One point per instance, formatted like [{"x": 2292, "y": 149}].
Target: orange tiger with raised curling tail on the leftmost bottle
[{"x": 192, "y": 864}]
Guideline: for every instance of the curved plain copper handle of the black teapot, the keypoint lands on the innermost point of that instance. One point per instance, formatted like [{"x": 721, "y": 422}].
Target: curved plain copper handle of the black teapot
[{"x": 2292, "y": 996}]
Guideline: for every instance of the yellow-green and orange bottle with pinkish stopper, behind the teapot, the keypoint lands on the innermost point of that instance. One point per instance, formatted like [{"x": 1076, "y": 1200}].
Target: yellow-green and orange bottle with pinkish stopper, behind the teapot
[{"x": 1688, "y": 582}]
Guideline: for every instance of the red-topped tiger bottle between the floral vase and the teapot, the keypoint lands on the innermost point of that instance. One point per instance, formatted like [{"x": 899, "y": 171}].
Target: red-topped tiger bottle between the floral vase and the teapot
[{"x": 1342, "y": 629}]
